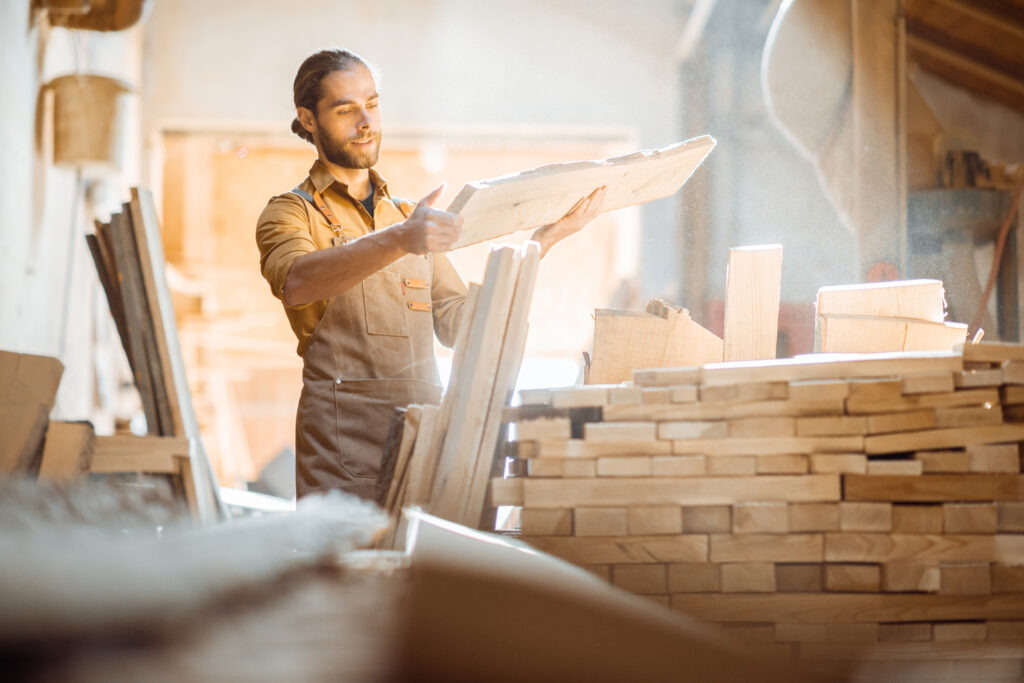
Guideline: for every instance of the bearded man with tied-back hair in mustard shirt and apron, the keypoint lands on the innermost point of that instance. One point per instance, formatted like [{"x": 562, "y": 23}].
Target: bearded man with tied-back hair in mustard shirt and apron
[{"x": 364, "y": 279}]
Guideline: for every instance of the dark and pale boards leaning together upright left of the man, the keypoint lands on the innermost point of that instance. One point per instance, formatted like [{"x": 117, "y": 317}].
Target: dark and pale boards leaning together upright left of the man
[{"x": 130, "y": 260}]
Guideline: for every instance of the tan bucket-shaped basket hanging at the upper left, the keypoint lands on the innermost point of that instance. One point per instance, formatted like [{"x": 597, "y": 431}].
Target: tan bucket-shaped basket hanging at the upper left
[{"x": 91, "y": 119}]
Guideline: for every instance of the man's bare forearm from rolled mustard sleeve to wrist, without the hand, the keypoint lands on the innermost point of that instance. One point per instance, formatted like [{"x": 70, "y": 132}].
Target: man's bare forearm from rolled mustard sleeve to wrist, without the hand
[{"x": 322, "y": 275}]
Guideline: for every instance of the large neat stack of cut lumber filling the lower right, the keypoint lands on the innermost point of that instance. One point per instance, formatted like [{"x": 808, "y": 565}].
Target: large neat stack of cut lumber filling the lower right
[{"x": 841, "y": 506}]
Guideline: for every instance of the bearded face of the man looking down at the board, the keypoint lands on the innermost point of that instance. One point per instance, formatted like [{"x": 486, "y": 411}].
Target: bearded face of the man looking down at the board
[{"x": 349, "y": 118}]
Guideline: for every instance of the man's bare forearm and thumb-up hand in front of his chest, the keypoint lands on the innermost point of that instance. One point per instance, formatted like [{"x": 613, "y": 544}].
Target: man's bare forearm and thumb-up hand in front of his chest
[{"x": 327, "y": 273}]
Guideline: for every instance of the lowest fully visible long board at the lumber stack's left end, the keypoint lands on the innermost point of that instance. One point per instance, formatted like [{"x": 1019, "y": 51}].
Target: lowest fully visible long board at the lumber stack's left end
[{"x": 625, "y": 550}]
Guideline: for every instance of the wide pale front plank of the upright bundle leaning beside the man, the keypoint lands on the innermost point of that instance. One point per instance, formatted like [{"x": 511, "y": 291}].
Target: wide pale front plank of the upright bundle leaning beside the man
[{"x": 468, "y": 399}]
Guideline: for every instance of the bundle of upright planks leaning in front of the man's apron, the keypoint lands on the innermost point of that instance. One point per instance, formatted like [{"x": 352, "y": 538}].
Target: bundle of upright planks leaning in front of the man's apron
[{"x": 446, "y": 455}]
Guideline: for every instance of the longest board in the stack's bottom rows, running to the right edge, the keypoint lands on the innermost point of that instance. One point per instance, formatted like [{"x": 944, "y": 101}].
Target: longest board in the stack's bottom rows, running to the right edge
[{"x": 856, "y": 609}]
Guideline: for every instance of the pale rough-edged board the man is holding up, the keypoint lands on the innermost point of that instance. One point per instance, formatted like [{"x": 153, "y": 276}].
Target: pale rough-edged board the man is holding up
[{"x": 530, "y": 199}]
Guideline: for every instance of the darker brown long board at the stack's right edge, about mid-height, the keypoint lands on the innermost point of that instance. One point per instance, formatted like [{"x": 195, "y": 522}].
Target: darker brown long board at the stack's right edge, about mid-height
[{"x": 933, "y": 488}]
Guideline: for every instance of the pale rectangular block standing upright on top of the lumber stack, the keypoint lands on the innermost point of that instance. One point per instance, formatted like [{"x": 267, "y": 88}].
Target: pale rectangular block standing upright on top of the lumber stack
[{"x": 752, "y": 300}]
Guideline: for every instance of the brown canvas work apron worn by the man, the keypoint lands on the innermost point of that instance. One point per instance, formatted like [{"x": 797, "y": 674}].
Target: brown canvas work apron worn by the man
[{"x": 371, "y": 353}]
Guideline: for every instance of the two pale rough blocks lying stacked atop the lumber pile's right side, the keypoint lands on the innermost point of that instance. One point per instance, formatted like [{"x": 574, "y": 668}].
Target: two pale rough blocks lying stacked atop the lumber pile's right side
[{"x": 905, "y": 316}]
